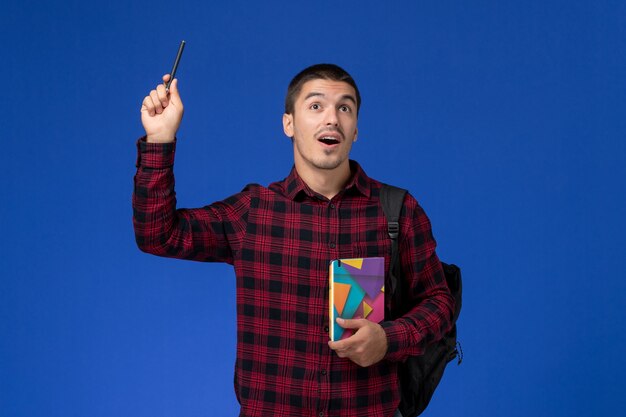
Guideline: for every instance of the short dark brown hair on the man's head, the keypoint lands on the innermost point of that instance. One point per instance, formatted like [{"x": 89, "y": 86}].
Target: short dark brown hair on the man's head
[{"x": 315, "y": 72}]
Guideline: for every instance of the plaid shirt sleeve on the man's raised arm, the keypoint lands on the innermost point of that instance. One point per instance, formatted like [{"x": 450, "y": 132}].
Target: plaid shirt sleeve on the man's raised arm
[{"x": 212, "y": 233}]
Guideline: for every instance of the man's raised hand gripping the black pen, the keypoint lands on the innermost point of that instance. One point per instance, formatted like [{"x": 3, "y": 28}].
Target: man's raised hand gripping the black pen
[{"x": 162, "y": 112}]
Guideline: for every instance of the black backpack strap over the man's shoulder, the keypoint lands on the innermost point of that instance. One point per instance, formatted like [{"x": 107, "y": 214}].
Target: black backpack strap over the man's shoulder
[{"x": 392, "y": 200}]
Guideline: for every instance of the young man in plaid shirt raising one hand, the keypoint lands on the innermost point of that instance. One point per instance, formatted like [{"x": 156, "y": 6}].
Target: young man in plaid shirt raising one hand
[{"x": 280, "y": 240}]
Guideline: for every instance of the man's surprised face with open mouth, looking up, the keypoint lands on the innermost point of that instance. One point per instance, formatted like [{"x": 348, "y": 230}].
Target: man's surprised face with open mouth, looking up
[{"x": 323, "y": 124}]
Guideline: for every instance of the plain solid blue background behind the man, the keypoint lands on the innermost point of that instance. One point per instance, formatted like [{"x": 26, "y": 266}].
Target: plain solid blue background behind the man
[{"x": 505, "y": 119}]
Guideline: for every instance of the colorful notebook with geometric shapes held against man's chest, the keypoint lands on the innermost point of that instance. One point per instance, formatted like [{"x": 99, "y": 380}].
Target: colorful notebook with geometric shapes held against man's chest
[{"x": 356, "y": 290}]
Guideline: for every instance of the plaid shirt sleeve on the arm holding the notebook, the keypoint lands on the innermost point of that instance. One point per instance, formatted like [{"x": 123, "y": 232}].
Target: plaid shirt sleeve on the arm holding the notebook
[{"x": 433, "y": 303}]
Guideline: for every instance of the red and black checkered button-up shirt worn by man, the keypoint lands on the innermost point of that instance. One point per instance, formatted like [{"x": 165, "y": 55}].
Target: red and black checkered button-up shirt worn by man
[{"x": 280, "y": 240}]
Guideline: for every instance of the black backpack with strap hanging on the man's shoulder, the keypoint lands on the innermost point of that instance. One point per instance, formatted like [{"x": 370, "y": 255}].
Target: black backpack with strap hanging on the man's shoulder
[{"x": 419, "y": 375}]
